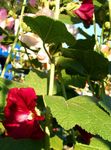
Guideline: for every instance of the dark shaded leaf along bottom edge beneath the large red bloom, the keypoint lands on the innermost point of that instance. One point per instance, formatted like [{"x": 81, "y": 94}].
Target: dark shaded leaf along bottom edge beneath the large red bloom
[{"x": 21, "y": 144}]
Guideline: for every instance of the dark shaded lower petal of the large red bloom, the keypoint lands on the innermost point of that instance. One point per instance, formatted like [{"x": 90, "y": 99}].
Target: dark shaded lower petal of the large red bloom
[{"x": 28, "y": 129}]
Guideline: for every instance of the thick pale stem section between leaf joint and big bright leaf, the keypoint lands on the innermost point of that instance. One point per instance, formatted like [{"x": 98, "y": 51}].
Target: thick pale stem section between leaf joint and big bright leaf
[{"x": 51, "y": 81}]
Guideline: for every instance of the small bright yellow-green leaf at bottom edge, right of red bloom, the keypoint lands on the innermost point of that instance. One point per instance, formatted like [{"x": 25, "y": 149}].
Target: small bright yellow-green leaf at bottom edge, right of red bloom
[{"x": 56, "y": 143}]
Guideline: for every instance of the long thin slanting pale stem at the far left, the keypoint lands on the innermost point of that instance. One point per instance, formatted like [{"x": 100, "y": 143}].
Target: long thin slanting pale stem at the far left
[{"x": 16, "y": 39}]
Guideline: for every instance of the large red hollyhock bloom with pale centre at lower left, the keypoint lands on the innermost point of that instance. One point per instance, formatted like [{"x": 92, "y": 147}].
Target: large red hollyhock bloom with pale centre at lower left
[{"x": 21, "y": 119}]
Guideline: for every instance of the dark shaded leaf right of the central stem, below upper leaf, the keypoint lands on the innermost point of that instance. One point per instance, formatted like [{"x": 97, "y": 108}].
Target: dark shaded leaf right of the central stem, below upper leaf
[{"x": 95, "y": 64}]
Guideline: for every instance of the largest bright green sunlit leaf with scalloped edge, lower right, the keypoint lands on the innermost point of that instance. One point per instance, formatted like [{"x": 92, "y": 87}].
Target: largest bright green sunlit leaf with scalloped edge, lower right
[{"x": 82, "y": 111}]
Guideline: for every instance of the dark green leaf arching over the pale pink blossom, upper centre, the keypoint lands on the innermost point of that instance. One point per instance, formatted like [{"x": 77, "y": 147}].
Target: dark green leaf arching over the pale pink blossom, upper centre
[{"x": 49, "y": 30}]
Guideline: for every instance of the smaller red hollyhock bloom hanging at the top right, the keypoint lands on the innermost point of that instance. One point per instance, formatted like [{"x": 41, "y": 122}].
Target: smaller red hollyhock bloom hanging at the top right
[{"x": 85, "y": 11}]
